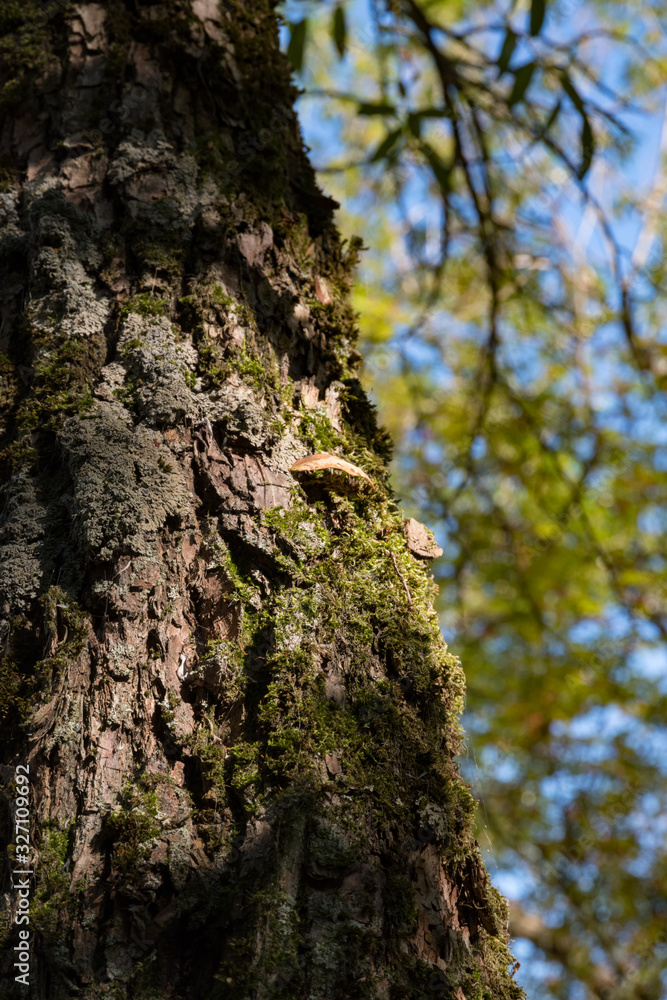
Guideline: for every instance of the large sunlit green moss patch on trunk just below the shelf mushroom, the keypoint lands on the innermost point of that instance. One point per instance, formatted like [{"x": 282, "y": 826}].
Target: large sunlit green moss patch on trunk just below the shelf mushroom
[{"x": 383, "y": 730}]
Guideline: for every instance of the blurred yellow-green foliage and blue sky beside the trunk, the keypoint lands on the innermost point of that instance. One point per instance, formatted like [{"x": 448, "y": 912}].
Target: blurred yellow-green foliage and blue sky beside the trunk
[{"x": 503, "y": 165}]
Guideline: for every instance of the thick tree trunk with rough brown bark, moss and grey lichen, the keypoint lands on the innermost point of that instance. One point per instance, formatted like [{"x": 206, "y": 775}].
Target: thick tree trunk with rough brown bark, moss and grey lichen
[{"x": 230, "y": 685}]
